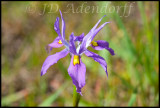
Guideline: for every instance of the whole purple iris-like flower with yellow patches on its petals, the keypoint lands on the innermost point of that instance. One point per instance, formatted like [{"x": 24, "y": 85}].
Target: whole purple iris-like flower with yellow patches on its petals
[{"x": 77, "y": 68}]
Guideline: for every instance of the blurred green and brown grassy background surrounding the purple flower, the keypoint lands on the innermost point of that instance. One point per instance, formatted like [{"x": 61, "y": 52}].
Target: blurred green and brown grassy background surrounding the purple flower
[{"x": 133, "y": 72}]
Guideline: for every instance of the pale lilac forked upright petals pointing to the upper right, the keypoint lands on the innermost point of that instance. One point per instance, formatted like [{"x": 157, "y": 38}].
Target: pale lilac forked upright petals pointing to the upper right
[{"x": 89, "y": 37}]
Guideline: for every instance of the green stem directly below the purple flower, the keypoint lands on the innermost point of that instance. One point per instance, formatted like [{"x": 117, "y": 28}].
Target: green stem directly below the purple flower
[{"x": 76, "y": 97}]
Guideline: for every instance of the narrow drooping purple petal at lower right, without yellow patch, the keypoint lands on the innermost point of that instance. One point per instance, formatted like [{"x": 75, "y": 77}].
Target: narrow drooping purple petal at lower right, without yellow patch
[{"x": 98, "y": 59}]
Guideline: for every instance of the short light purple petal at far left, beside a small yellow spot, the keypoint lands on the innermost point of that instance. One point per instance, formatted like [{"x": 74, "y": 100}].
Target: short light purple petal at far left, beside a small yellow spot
[{"x": 54, "y": 44}]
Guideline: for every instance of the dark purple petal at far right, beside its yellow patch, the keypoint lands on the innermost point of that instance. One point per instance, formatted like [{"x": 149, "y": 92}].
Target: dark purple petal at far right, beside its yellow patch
[{"x": 103, "y": 44}]
